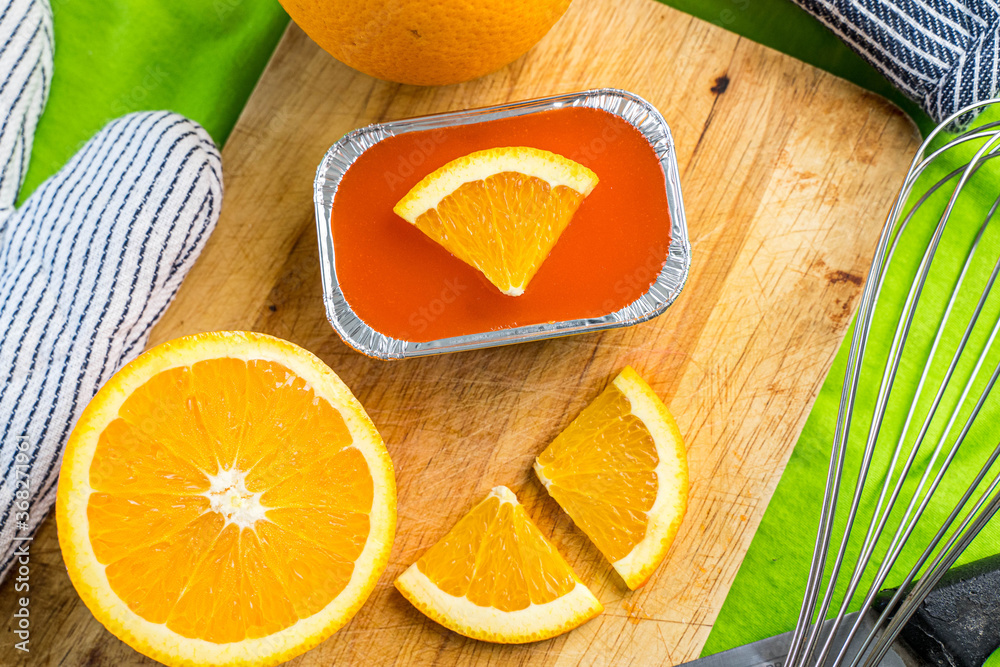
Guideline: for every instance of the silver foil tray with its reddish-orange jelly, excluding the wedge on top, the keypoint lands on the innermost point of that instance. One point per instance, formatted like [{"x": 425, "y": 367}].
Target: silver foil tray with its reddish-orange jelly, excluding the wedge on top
[{"x": 392, "y": 292}]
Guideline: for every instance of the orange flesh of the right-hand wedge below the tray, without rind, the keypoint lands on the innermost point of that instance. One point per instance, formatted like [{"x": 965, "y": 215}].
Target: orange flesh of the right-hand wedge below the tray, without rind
[{"x": 605, "y": 436}]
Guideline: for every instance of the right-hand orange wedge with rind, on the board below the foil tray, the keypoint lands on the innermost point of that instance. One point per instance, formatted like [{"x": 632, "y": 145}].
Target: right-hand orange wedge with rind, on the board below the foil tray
[{"x": 620, "y": 471}]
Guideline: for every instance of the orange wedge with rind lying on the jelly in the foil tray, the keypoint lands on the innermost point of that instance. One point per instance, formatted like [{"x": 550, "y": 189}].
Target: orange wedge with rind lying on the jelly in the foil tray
[{"x": 499, "y": 210}]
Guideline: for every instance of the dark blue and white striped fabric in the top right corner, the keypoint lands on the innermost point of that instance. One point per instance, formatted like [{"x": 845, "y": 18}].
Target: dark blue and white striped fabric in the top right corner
[{"x": 941, "y": 53}]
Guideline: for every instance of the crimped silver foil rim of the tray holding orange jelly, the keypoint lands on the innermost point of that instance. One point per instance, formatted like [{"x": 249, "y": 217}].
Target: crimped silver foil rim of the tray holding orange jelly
[{"x": 628, "y": 106}]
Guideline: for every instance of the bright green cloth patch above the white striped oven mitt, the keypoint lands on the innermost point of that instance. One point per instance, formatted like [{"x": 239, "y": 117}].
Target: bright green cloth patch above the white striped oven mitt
[{"x": 200, "y": 58}]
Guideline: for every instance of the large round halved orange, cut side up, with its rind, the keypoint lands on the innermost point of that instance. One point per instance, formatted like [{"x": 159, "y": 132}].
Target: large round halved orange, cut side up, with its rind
[{"x": 225, "y": 500}]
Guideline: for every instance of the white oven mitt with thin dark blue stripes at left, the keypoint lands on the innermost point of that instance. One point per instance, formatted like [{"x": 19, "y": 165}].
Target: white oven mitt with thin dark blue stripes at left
[{"x": 88, "y": 263}]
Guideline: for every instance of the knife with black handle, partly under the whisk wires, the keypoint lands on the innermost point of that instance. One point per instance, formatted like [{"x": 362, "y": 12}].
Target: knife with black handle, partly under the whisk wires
[{"x": 958, "y": 625}]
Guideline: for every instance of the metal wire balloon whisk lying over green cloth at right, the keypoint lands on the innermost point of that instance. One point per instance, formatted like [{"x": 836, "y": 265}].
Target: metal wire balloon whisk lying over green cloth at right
[{"x": 813, "y": 641}]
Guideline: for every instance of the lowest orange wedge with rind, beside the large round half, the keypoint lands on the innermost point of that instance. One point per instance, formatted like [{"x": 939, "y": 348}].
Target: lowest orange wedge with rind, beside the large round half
[{"x": 495, "y": 577}]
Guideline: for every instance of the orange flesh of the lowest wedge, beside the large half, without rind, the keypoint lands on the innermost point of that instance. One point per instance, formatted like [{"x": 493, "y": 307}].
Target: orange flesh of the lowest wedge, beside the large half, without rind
[{"x": 496, "y": 557}]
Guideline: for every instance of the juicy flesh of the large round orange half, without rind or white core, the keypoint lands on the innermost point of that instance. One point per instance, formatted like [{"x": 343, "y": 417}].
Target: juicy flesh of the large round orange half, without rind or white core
[{"x": 175, "y": 560}]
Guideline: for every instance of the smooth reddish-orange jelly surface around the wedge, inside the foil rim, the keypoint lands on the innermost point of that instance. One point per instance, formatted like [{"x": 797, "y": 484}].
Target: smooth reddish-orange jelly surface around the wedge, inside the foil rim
[{"x": 403, "y": 284}]
